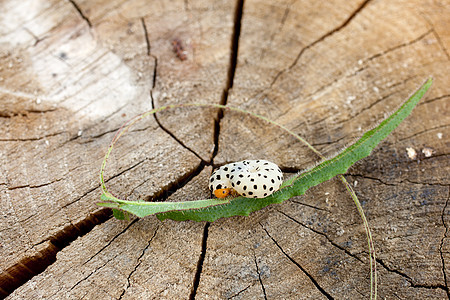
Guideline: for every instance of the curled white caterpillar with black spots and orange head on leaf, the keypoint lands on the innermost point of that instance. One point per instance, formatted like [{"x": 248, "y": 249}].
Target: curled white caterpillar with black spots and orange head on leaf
[{"x": 248, "y": 178}]
